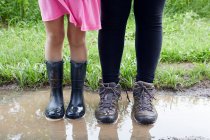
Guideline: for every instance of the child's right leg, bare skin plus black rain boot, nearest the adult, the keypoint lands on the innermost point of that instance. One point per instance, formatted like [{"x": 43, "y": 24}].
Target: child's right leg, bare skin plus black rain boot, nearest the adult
[{"x": 76, "y": 37}]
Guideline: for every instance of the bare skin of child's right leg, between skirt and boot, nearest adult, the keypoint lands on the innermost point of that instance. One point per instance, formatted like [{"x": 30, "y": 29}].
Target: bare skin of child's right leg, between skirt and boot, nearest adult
[{"x": 77, "y": 43}]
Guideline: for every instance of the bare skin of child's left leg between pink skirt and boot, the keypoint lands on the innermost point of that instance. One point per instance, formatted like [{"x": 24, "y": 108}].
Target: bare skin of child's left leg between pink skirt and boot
[{"x": 55, "y": 36}]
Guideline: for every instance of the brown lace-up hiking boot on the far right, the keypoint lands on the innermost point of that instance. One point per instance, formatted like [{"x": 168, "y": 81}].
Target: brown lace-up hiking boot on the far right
[{"x": 144, "y": 111}]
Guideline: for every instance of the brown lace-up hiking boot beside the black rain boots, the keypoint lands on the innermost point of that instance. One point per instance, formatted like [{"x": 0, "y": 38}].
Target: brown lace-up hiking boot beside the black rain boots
[{"x": 107, "y": 111}]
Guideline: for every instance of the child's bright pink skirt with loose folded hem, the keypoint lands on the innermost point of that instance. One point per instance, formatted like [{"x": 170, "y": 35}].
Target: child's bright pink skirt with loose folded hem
[{"x": 82, "y": 13}]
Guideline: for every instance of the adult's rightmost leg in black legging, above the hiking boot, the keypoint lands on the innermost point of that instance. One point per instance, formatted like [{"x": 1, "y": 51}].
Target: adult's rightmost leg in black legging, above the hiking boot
[{"x": 148, "y": 17}]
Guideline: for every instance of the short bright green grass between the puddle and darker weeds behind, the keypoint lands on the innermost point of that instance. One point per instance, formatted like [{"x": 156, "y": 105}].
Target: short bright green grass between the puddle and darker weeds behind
[{"x": 186, "y": 40}]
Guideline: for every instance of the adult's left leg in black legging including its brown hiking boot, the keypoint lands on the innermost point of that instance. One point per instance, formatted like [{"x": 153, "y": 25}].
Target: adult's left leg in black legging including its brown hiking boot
[{"x": 111, "y": 42}]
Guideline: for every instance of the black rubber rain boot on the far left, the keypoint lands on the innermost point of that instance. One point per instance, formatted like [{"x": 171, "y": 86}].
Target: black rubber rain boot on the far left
[{"x": 55, "y": 108}]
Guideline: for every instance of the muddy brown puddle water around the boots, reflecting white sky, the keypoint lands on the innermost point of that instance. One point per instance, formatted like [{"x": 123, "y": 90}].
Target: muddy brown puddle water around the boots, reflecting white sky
[{"x": 21, "y": 117}]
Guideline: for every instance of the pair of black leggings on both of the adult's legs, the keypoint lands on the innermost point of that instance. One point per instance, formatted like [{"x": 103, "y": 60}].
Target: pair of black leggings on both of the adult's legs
[{"x": 148, "y": 39}]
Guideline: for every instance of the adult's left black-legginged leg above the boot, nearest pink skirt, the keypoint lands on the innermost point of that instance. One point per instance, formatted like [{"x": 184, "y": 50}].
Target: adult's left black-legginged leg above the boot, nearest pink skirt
[{"x": 111, "y": 37}]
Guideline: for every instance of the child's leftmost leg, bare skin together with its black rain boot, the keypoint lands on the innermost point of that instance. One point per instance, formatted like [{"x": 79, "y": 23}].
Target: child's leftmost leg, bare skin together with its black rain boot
[{"x": 54, "y": 64}]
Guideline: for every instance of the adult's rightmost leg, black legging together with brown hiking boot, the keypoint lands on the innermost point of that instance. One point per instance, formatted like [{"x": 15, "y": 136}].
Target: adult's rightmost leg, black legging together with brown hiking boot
[{"x": 148, "y": 16}]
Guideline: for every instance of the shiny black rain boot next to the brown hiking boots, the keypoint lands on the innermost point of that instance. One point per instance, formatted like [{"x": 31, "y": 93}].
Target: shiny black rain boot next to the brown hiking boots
[{"x": 76, "y": 107}]
